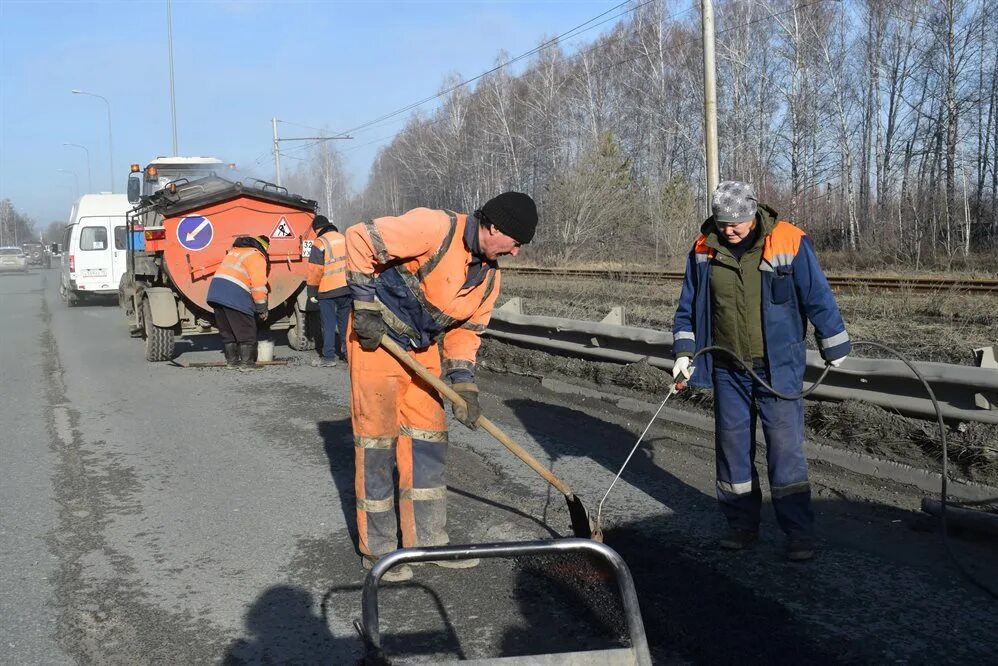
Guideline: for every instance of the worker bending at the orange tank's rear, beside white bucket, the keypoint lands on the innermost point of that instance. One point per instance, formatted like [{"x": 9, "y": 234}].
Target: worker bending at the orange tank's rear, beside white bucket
[{"x": 238, "y": 294}]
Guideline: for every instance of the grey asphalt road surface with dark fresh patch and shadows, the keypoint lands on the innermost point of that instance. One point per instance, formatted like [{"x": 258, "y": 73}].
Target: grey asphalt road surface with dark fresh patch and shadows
[{"x": 153, "y": 514}]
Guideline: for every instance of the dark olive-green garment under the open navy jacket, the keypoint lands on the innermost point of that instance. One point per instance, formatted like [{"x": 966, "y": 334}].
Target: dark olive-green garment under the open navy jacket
[{"x": 736, "y": 290}]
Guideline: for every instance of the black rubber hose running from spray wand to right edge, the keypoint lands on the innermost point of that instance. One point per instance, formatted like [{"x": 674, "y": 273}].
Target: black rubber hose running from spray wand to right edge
[{"x": 944, "y": 490}]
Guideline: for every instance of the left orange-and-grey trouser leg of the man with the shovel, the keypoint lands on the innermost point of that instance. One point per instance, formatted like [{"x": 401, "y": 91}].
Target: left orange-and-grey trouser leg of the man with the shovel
[{"x": 374, "y": 384}]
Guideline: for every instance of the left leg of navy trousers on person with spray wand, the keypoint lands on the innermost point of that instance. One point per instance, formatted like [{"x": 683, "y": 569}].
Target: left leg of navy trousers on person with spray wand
[{"x": 738, "y": 492}]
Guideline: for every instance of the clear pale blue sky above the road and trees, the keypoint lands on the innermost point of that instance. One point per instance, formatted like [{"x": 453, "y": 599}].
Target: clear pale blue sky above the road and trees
[{"x": 323, "y": 64}]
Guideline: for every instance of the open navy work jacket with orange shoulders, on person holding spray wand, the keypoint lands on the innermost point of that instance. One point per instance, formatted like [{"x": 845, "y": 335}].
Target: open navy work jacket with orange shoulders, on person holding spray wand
[{"x": 794, "y": 291}]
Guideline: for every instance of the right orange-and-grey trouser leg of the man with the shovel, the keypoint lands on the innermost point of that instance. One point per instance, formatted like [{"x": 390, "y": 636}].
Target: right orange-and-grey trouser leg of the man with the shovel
[{"x": 423, "y": 490}]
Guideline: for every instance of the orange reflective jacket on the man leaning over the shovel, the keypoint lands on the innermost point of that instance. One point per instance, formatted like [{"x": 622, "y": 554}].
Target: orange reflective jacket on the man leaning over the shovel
[{"x": 417, "y": 264}]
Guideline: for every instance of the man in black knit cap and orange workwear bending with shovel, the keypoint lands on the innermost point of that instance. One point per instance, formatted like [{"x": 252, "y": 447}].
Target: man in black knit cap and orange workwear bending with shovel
[{"x": 422, "y": 276}]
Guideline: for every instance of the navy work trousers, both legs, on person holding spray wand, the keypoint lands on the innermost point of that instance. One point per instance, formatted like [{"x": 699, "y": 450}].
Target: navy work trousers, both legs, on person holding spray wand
[{"x": 738, "y": 403}]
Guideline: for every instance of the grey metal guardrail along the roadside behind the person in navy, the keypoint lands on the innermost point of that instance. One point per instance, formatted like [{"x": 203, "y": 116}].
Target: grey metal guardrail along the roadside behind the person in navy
[{"x": 965, "y": 393}]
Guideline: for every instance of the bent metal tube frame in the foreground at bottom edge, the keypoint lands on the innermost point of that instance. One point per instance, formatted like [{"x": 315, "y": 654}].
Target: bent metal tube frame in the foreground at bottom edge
[{"x": 637, "y": 654}]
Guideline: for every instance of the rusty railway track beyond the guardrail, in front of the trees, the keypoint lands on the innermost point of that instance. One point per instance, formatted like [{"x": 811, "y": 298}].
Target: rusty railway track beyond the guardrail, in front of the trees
[{"x": 842, "y": 282}]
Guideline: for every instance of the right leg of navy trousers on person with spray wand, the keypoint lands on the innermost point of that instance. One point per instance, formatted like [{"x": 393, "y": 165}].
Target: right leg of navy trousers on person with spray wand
[{"x": 783, "y": 426}]
